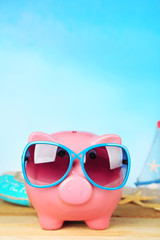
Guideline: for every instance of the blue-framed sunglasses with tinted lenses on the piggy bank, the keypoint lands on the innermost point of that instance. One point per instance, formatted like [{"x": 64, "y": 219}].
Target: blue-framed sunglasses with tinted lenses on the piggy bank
[{"x": 46, "y": 164}]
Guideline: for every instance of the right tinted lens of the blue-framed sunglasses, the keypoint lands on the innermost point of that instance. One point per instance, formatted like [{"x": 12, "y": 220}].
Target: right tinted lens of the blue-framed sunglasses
[{"x": 106, "y": 166}]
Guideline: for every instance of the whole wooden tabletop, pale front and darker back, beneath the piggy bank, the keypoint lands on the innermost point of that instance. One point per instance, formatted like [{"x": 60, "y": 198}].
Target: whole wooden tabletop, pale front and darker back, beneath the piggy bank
[{"x": 128, "y": 222}]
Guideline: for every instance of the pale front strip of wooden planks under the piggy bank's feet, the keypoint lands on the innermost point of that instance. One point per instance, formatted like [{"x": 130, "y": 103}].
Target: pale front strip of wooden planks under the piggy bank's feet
[{"x": 28, "y": 226}]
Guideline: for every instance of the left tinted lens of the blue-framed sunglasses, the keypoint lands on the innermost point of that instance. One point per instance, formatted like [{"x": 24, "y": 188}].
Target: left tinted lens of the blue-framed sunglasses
[{"x": 46, "y": 164}]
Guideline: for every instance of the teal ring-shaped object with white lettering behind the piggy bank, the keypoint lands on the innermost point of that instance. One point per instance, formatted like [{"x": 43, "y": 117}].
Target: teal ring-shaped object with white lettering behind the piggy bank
[{"x": 13, "y": 190}]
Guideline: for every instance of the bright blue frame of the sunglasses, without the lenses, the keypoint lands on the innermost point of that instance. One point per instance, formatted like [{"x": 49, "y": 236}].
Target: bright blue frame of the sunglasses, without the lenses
[{"x": 76, "y": 156}]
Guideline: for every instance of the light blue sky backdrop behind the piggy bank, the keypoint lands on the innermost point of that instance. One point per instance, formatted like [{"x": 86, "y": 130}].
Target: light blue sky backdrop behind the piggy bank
[{"x": 79, "y": 65}]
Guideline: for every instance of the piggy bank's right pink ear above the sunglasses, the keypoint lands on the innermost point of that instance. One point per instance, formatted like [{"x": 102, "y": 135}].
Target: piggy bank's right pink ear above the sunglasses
[{"x": 107, "y": 138}]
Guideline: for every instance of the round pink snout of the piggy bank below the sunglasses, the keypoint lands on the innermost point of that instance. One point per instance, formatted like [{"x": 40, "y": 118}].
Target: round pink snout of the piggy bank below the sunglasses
[{"x": 75, "y": 190}]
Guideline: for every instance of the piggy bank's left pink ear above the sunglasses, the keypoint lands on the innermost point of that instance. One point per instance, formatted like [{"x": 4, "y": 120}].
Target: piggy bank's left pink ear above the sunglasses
[{"x": 38, "y": 136}]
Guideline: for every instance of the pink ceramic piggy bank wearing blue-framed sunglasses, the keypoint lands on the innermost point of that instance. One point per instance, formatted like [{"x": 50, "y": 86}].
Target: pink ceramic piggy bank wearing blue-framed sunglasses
[{"x": 75, "y": 176}]
